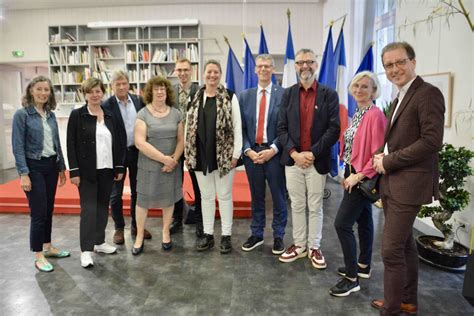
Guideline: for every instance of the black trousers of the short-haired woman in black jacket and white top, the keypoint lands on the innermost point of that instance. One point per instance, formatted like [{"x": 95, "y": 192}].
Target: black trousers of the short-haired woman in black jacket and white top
[{"x": 94, "y": 197}]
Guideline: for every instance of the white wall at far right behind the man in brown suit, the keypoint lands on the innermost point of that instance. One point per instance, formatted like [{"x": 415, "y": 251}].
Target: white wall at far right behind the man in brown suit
[{"x": 446, "y": 48}]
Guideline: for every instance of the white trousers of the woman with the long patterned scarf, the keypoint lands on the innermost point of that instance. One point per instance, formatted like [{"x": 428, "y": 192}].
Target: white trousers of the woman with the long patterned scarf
[{"x": 210, "y": 185}]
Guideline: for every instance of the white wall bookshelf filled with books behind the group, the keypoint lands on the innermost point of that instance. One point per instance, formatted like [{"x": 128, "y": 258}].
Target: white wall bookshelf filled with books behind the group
[{"x": 77, "y": 52}]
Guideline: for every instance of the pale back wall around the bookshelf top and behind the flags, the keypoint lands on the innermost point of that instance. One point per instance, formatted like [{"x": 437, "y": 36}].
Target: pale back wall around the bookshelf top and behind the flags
[{"x": 28, "y": 29}]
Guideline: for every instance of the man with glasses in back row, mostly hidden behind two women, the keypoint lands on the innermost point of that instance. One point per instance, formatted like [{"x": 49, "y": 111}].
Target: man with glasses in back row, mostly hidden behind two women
[{"x": 184, "y": 91}]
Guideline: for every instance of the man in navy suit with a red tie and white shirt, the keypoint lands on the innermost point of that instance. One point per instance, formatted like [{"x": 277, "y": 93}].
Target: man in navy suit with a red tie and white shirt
[{"x": 259, "y": 111}]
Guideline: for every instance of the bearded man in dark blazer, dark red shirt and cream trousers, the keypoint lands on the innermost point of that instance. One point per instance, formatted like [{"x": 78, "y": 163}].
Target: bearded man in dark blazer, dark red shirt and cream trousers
[{"x": 308, "y": 126}]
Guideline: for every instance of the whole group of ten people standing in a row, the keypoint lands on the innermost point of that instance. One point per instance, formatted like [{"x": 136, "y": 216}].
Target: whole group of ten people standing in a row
[{"x": 282, "y": 136}]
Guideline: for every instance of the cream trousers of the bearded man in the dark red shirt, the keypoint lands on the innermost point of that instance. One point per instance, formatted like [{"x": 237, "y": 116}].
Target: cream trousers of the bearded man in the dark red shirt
[{"x": 306, "y": 188}]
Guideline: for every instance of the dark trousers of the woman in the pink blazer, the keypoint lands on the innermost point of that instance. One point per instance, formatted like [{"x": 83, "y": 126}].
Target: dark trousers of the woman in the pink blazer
[{"x": 355, "y": 208}]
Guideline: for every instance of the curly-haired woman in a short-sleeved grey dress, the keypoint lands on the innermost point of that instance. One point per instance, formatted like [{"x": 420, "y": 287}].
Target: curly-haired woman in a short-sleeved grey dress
[{"x": 159, "y": 138}]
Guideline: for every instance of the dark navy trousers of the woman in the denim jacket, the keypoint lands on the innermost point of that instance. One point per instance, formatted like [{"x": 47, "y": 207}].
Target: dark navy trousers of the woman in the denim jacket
[{"x": 44, "y": 180}]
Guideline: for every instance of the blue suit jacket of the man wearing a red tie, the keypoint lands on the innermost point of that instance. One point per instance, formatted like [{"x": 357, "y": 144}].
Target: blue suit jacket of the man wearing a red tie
[{"x": 248, "y": 109}]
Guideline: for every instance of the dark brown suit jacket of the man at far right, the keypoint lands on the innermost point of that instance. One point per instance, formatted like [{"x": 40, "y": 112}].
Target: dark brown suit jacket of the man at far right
[{"x": 414, "y": 140}]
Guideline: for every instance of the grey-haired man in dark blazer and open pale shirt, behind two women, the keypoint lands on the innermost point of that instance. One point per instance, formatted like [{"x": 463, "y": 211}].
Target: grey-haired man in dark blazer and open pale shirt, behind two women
[{"x": 124, "y": 107}]
